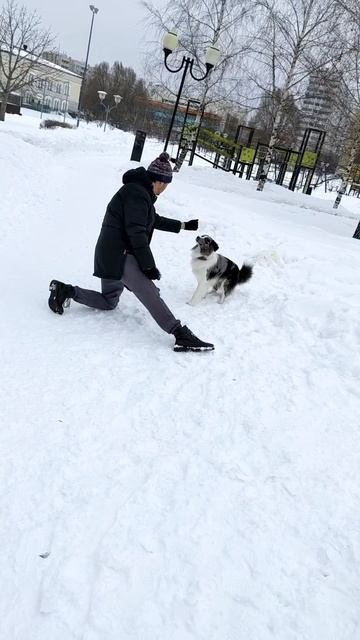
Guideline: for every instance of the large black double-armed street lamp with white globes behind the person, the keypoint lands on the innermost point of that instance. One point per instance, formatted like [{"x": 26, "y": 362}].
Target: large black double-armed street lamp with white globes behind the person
[{"x": 170, "y": 43}]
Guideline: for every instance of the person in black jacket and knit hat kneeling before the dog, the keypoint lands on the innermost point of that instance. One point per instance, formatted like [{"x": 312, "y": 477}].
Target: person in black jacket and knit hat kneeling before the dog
[{"x": 123, "y": 257}]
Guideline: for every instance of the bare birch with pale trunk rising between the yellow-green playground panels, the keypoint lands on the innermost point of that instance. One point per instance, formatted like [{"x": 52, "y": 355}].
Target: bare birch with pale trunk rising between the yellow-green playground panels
[{"x": 299, "y": 37}]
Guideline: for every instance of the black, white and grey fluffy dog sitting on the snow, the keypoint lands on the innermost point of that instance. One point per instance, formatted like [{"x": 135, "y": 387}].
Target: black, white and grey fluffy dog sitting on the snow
[{"x": 214, "y": 272}]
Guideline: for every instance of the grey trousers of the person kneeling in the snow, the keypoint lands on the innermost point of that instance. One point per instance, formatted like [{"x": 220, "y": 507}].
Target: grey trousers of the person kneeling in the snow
[{"x": 143, "y": 288}]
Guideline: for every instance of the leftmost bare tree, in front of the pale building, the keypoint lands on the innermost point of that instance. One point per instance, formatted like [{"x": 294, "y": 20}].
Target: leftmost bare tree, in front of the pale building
[{"x": 23, "y": 42}]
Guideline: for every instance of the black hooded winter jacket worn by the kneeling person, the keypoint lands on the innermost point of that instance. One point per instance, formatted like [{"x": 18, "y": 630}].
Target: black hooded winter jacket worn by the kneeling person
[{"x": 128, "y": 225}]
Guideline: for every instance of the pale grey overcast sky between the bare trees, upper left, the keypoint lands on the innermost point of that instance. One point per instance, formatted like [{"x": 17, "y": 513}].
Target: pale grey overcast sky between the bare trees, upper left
[{"x": 119, "y": 31}]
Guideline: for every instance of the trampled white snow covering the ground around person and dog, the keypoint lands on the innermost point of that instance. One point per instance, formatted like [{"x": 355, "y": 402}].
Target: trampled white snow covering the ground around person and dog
[{"x": 148, "y": 495}]
